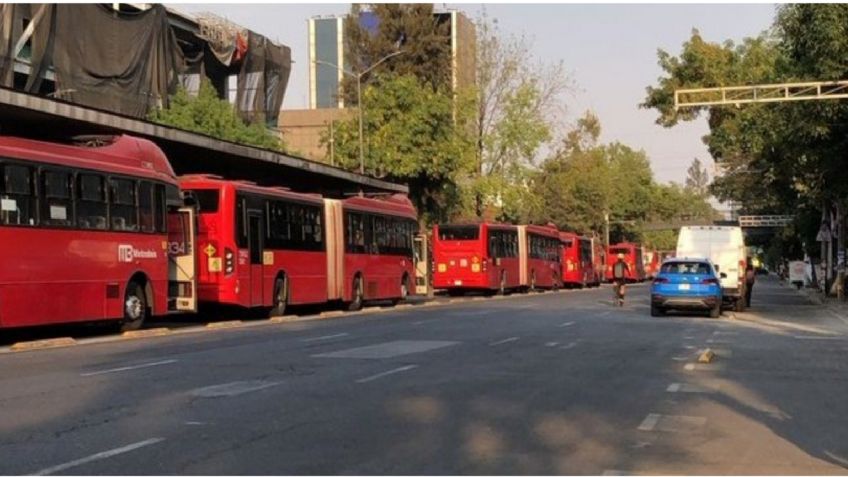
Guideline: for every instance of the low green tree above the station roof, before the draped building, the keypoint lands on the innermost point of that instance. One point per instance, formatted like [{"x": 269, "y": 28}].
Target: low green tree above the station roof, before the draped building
[{"x": 207, "y": 114}]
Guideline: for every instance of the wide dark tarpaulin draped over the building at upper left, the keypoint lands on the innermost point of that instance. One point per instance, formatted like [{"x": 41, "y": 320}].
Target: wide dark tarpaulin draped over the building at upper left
[{"x": 127, "y": 63}]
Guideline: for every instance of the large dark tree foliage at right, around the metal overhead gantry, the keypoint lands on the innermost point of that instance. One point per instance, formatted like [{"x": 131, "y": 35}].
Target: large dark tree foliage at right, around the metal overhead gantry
[{"x": 776, "y": 158}]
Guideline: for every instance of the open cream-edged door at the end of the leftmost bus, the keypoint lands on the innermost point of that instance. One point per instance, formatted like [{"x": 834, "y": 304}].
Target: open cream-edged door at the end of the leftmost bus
[{"x": 182, "y": 261}]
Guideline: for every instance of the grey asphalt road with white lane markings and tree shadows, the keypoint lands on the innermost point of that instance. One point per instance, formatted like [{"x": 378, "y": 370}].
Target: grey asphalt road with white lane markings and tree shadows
[{"x": 556, "y": 383}]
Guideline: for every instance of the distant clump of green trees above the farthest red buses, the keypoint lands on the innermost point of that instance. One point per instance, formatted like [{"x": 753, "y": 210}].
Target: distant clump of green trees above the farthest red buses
[{"x": 584, "y": 180}]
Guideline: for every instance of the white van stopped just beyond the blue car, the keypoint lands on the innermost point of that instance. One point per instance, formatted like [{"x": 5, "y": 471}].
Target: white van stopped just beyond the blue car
[{"x": 725, "y": 247}]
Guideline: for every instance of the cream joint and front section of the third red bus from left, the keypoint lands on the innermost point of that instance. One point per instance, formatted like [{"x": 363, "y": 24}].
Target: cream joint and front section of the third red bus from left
[{"x": 540, "y": 253}]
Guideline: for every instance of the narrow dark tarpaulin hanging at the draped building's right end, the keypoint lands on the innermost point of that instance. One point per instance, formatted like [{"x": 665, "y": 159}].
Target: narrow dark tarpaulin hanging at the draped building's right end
[{"x": 262, "y": 80}]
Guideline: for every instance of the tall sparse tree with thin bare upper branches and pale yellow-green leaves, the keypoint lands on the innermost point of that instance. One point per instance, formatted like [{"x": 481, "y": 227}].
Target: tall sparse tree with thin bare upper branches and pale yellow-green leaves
[{"x": 518, "y": 101}]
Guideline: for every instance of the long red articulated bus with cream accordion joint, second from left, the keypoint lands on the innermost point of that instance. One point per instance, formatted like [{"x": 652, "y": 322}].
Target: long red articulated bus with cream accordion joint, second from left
[{"x": 271, "y": 247}]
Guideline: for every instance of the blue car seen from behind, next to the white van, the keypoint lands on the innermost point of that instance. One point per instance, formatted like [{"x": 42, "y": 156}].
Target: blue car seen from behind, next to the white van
[{"x": 687, "y": 284}]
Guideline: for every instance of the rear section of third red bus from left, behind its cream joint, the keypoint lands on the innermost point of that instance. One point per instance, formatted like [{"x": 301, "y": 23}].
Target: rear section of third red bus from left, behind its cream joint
[{"x": 476, "y": 257}]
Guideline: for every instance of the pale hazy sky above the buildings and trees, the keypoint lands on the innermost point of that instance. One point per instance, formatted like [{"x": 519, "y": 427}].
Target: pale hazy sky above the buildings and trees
[{"x": 610, "y": 51}]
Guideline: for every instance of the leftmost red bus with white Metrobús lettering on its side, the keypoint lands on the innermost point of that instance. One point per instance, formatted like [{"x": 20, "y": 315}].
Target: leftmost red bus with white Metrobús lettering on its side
[{"x": 94, "y": 231}]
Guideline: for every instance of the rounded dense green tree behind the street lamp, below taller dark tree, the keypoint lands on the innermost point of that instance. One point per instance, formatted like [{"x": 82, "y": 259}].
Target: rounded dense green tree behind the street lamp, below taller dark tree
[{"x": 413, "y": 134}]
